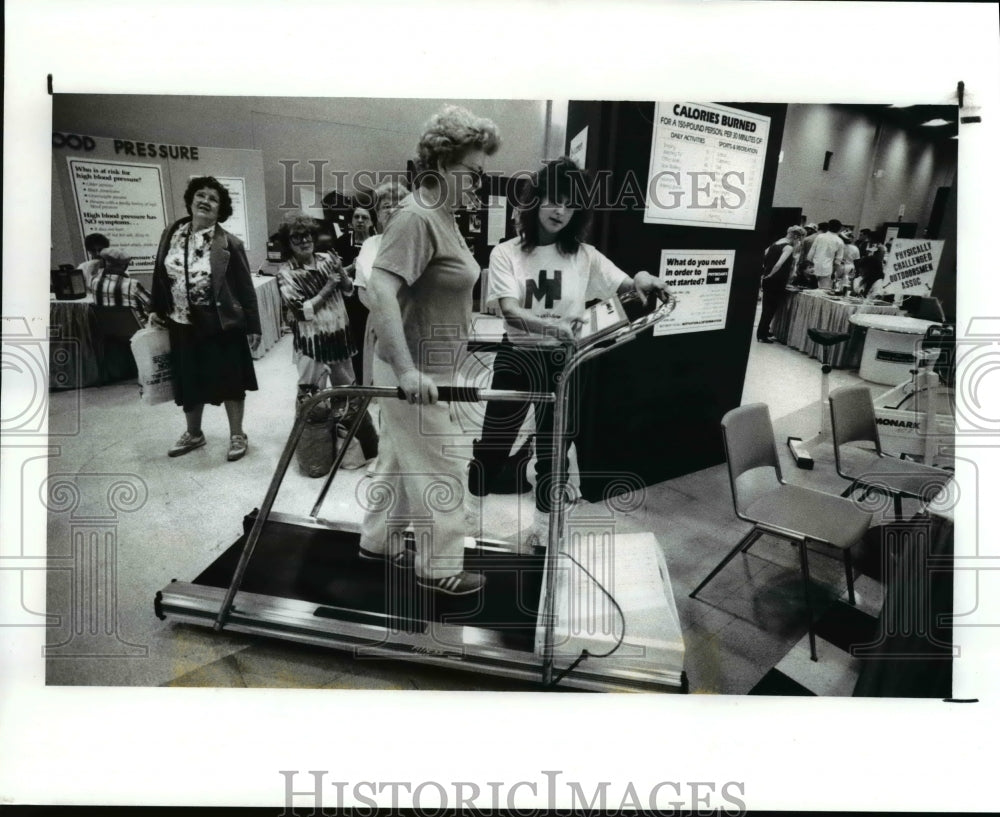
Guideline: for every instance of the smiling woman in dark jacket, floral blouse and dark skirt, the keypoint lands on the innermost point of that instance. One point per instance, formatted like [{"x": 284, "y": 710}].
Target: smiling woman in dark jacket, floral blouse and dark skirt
[{"x": 204, "y": 295}]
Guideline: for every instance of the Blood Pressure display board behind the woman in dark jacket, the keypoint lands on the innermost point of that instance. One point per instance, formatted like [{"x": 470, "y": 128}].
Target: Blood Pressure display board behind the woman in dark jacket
[{"x": 130, "y": 191}]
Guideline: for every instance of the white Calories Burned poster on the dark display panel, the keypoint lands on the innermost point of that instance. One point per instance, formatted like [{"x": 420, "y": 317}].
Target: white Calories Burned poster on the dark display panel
[{"x": 706, "y": 166}]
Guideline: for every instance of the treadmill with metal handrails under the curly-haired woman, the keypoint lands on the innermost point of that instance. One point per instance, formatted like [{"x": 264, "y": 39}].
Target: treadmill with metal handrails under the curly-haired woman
[{"x": 594, "y": 610}]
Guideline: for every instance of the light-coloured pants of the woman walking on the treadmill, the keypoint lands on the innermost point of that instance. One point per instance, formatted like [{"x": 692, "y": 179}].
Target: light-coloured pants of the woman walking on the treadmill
[{"x": 416, "y": 483}]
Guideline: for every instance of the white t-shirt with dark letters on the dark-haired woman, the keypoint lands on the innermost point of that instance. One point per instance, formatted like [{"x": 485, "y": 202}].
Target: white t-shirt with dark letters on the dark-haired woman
[{"x": 549, "y": 284}]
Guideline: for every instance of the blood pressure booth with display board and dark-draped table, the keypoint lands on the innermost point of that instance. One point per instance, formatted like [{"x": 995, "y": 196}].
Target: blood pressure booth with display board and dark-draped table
[{"x": 130, "y": 191}]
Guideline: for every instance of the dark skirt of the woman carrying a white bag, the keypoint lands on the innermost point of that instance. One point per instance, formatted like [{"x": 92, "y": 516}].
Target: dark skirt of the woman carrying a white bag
[{"x": 210, "y": 369}]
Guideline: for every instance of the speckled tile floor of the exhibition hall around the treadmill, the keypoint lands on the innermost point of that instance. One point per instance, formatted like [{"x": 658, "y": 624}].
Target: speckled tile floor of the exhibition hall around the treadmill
[{"x": 135, "y": 520}]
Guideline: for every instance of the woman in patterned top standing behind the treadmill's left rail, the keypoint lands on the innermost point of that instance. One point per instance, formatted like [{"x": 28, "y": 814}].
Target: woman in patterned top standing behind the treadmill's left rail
[{"x": 313, "y": 286}]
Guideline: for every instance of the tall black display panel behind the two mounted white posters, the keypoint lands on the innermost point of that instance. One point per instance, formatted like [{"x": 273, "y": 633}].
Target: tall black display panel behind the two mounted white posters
[{"x": 652, "y": 408}]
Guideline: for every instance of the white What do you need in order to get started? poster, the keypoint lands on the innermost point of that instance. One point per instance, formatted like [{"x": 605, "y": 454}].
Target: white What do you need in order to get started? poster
[{"x": 701, "y": 280}]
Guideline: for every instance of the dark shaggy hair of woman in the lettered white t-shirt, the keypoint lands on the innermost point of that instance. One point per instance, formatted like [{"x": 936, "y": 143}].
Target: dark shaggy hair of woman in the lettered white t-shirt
[{"x": 558, "y": 180}]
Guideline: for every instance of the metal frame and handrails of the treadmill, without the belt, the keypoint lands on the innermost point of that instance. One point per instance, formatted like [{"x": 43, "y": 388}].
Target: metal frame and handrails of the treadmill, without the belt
[{"x": 480, "y": 650}]
